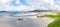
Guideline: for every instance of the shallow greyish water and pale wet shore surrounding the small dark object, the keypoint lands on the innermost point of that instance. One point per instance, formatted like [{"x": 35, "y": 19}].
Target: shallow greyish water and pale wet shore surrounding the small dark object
[{"x": 26, "y": 22}]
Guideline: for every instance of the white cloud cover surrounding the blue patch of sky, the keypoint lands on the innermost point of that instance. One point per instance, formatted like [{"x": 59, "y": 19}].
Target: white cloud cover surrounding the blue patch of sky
[{"x": 34, "y": 4}]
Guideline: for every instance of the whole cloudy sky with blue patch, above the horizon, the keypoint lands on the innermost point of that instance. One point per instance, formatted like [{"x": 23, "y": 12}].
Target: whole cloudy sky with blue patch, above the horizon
[{"x": 28, "y": 5}]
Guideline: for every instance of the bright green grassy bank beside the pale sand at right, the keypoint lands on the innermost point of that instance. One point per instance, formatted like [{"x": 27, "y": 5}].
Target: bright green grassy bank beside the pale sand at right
[{"x": 56, "y": 22}]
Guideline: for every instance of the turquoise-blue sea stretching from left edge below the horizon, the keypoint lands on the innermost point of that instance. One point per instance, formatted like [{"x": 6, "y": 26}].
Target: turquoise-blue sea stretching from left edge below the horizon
[{"x": 9, "y": 13}]
